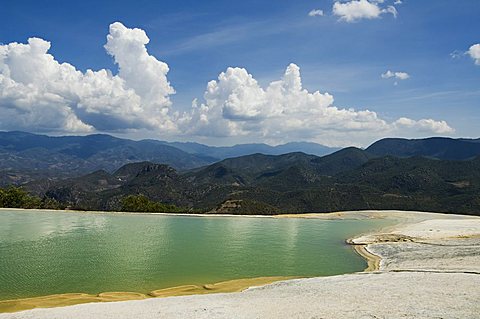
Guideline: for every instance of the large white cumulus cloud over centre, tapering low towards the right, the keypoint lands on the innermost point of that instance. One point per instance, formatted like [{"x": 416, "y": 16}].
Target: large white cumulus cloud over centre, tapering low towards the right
[{"x": 236, "y": 105}]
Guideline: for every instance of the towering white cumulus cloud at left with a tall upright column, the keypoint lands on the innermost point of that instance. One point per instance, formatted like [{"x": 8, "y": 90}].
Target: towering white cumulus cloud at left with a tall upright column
[{"x": 36, "y": 91}]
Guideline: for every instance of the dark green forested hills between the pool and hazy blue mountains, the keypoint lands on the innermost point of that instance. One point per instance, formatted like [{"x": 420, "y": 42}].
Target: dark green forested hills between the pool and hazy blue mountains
[{"x": 349, "y": 179}]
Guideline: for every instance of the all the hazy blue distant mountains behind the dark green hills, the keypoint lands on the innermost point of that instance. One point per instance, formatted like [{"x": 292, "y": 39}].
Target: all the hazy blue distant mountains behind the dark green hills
[{"x": 25, "y": 157}]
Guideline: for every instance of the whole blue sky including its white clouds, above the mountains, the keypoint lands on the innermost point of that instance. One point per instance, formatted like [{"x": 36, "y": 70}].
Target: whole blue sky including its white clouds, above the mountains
[{"x": 338, "y": 73}]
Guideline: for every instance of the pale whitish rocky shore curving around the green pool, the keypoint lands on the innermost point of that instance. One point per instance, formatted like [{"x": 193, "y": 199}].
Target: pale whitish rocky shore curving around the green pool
[{"x": 441, "y": 251}]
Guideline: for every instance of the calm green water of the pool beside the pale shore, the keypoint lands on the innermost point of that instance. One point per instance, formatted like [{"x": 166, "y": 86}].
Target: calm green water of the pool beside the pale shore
[{"x": 44, "y": 253}]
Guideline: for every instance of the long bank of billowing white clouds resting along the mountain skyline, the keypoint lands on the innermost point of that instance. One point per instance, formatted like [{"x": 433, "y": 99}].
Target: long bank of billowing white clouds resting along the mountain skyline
[{"x": 37, "y": 93}]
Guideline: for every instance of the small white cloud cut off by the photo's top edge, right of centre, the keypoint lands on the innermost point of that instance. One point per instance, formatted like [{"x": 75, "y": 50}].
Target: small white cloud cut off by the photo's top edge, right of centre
[{"x": 355, "y": 10}]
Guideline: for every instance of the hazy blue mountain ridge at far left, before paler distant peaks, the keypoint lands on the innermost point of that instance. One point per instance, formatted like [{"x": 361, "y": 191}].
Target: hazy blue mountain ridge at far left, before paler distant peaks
[{"x": 25, "y": 157}]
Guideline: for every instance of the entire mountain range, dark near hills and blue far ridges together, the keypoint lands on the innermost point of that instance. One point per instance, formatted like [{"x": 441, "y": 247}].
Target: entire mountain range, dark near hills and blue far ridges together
[{"x": 95, "y": 172}]
